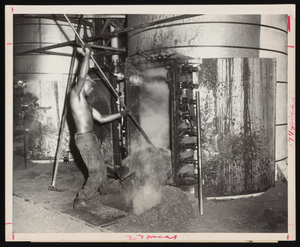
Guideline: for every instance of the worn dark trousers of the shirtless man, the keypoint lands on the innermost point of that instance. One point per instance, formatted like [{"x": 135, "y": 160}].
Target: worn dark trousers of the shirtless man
[{"x": 89, "y": 148}]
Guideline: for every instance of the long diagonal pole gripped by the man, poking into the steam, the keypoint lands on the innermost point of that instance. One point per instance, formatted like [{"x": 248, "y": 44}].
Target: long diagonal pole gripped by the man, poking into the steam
[{"x": 112, "y": 88}]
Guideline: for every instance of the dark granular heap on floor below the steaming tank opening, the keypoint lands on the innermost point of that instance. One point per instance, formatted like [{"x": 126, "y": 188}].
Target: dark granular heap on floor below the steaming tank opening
[{"x": 172, "y": 214}]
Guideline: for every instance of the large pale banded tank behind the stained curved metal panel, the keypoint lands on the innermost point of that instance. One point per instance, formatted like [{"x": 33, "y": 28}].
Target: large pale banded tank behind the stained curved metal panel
[{"x": 223, "y": 36}]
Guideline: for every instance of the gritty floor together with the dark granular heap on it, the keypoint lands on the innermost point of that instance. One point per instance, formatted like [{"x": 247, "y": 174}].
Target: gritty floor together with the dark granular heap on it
[{"x": 177, "y": 212}]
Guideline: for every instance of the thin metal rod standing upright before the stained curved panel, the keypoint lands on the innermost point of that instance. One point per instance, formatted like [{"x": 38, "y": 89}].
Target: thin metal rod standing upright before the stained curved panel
[{"x": 200, "y": 177}]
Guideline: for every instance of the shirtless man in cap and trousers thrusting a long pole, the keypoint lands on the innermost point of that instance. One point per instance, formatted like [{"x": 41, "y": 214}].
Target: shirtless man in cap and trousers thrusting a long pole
[{"x": 85, "y": 138}]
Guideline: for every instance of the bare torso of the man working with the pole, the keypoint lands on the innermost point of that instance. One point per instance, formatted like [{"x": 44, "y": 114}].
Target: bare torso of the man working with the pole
[{"x": 81, "y": 112}]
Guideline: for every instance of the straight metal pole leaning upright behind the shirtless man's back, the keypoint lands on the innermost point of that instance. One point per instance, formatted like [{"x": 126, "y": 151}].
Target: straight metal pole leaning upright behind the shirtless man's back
[{"x": 63, "y": 121}]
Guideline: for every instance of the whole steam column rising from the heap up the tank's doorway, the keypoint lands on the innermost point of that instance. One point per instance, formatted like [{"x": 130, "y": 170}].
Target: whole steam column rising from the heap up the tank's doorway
[{"x": 151, "y": 165}]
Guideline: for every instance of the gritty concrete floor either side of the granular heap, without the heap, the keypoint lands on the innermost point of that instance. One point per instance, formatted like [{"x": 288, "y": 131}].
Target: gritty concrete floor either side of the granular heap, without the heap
[{"x": 38, "y": 210}]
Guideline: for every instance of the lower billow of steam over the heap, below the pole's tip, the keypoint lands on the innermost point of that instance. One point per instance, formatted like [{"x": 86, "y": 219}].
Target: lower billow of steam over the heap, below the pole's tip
[{"x": 151, "y": 167}]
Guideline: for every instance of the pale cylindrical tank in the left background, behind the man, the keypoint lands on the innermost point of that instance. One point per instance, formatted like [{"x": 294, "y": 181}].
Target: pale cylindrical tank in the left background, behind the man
[{"x": 46, "y": 77}]
